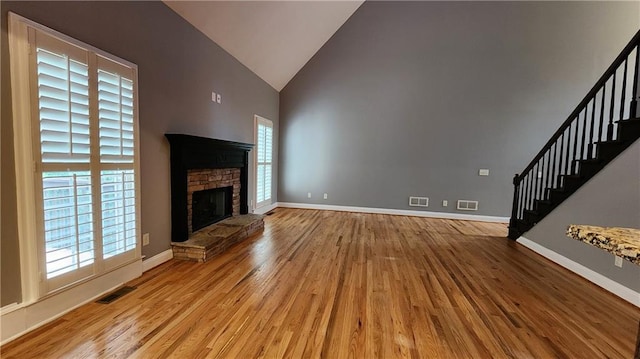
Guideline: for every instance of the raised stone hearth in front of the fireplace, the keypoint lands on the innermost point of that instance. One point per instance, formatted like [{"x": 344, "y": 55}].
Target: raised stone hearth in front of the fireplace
[{"x": 210, "y": 241}]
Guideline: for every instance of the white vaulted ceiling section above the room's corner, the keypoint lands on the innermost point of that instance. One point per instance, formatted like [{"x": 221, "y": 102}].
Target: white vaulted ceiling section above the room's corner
[{"x": 274, "y": 39}]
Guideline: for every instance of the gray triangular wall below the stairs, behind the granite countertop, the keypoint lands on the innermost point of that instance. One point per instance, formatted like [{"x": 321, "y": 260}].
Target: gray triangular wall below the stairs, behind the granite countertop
[{"x": 610, "y": 199}]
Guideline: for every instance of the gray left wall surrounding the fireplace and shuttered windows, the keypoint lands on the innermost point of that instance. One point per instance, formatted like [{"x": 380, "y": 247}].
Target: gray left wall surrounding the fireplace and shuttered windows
[{"x": 178, "y": 69}]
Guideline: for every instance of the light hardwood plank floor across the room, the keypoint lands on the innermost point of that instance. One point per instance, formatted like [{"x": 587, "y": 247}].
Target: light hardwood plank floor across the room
[{"x": 337, "y": 285}]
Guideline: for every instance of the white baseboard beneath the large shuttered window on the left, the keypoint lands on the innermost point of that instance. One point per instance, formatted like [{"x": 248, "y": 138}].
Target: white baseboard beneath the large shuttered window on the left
[{"x": 22, "y": 318}]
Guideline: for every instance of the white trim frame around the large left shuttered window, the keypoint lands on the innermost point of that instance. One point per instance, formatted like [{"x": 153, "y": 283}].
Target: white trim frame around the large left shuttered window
[{"x": 33, "y": 286}]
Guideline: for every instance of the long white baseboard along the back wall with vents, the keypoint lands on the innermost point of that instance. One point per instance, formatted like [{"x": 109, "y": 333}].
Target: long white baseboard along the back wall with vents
[{"x": 399, "y": 212}]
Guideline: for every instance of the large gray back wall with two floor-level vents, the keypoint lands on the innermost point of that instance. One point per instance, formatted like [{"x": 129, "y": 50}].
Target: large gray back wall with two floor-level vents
[{"x": 412, "y": 98}]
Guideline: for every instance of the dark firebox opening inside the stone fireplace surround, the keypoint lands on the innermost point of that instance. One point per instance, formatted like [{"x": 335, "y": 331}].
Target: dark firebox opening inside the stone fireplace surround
[{"x": 211, "y": 206}]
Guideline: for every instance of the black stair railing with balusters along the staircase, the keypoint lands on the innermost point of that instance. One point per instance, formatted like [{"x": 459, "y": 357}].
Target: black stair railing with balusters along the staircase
[{"x": 593, "y": 121}]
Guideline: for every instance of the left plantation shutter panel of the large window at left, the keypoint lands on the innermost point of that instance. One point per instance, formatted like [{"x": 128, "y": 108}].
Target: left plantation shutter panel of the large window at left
[{"x": 62, "y": 74}]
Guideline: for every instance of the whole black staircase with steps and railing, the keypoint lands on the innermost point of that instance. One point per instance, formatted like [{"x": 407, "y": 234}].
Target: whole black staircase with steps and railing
[{"x": 604, "y": 124}]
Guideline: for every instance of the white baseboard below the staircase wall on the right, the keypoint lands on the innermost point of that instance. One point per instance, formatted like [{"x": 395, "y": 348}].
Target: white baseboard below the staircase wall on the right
[{"x": 598, "y": 279}]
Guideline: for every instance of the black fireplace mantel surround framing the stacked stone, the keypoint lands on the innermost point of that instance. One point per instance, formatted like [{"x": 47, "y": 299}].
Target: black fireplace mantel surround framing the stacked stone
[{"x": 193, "y": 152}]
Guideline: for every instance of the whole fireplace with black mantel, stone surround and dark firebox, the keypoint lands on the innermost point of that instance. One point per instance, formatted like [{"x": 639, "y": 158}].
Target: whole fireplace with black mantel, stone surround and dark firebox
[{"x": 205, "y": 164}]
